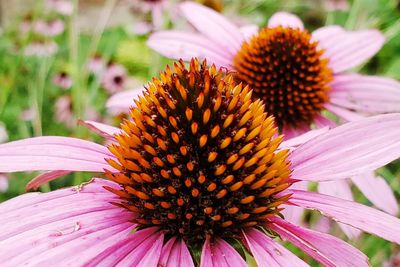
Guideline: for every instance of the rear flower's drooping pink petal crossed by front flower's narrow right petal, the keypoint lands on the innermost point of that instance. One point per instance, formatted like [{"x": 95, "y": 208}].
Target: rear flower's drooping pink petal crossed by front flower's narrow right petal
[{"x": 340, "y": 189}]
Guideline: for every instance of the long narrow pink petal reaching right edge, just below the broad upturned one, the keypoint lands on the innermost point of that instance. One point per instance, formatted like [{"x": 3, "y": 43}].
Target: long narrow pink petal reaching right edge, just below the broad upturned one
[{"x": 360, "y": 216}]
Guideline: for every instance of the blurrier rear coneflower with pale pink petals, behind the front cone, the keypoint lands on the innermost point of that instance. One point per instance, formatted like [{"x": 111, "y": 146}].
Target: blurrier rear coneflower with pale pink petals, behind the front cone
[{"x": 296, "y": 73}]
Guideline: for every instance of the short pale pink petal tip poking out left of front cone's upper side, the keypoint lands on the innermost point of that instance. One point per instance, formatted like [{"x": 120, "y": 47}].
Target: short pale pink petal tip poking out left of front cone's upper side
[{"x": 122, "y": 101}]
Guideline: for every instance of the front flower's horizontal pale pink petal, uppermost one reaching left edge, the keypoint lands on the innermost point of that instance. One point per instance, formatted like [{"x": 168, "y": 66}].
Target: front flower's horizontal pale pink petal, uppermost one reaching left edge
[{"x": 53, "y": 153}]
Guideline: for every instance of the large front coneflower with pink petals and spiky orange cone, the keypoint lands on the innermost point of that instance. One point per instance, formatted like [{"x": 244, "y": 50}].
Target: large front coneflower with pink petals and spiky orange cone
[{"x": 197, "y": 171}]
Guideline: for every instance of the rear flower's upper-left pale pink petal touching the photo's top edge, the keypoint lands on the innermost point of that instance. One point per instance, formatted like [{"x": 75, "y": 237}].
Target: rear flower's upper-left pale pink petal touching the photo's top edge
[{"x": 213, "y": 25}]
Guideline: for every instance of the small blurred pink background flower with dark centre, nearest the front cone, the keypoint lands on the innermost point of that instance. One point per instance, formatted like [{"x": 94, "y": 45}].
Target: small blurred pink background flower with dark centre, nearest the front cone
[{"x": 114, "y": 78}]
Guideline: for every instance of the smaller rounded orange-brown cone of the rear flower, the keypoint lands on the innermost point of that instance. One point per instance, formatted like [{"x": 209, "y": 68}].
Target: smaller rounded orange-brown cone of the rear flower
[{"x": 285, "y": 69}]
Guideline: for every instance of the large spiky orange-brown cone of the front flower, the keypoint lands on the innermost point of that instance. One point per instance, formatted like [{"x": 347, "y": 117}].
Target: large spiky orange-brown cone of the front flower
[{"x": 199, "y": 158}]
